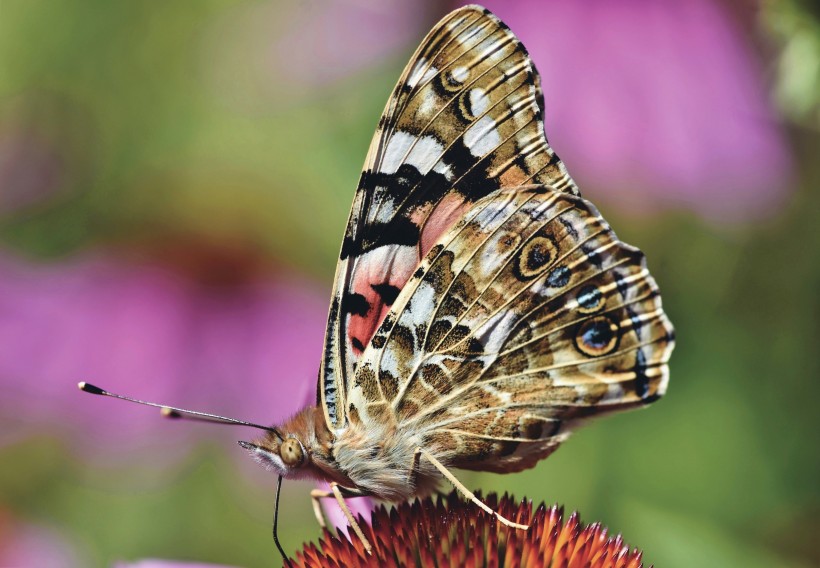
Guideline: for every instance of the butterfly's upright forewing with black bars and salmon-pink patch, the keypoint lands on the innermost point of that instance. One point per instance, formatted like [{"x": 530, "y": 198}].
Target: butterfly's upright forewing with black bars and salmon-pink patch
[{"x": 464, "y": 120}]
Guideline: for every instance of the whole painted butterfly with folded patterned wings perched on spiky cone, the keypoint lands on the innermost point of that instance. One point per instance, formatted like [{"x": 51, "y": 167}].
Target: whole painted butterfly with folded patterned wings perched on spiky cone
[{"x": 482, "y": 309}]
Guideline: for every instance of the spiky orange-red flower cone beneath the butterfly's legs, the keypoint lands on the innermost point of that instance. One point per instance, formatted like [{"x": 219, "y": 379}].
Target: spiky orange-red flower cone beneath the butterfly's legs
[{"x": 449, "y": 531}]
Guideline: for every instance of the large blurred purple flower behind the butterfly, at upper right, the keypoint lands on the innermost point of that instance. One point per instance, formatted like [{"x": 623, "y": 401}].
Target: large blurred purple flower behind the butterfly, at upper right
[{"x": 656, "y": 104}]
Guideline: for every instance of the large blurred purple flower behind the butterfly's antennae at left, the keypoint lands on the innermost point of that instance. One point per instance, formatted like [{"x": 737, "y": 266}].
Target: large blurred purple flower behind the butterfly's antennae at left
[{"x": 249, "y": 350}]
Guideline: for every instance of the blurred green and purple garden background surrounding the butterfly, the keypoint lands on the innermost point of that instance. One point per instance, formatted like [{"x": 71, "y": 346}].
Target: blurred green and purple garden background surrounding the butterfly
[{"x": 174, "y": 181}]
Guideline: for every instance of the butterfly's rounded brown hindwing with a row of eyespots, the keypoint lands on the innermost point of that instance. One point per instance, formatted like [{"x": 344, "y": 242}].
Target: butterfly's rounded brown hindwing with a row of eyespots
[{"x": 526, "y": 317}]
